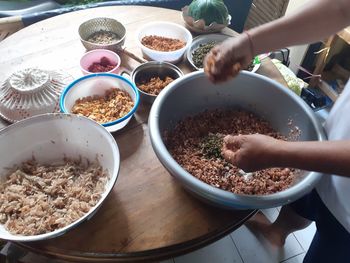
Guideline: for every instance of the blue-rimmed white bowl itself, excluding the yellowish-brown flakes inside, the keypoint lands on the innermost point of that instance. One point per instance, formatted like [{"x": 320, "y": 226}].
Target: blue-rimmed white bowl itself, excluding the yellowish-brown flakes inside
[{"x": 98, "y": 84}]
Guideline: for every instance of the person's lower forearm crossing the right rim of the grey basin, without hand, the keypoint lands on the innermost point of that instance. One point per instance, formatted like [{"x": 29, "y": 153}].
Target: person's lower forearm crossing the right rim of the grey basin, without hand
[{"x": 331, "y": 157}]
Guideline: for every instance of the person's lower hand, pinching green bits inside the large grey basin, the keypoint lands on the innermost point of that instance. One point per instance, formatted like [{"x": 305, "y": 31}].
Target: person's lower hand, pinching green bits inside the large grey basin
[{"x": 251, "y": 152}]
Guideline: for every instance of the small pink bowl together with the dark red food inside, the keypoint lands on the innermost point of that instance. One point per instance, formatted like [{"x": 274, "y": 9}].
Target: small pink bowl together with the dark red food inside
[{"x": 100, "y": 60}]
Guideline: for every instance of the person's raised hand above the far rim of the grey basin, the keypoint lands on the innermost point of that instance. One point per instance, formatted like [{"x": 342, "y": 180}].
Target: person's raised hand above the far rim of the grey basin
[{"x": 225, "y": 60}]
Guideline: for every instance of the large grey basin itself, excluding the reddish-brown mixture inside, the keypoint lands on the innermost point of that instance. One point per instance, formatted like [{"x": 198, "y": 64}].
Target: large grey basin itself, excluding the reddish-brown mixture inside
[{"x": 194, "y": 93}]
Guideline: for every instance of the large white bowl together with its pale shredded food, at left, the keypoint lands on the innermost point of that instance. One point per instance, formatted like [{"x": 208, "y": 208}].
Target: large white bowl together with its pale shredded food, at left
[{"x": 55, "y": 172}]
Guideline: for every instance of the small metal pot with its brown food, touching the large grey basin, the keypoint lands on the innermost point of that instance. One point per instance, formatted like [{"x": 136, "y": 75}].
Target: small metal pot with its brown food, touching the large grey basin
[{"x": 152, "y": 77}]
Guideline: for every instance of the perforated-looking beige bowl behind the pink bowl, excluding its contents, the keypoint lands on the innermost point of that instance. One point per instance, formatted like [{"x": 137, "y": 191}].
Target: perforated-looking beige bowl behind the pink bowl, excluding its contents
[{"x": 94, "y": 25}]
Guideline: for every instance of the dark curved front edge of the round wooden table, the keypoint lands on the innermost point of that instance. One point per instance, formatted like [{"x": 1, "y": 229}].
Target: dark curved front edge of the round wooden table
[{"x": 147, "y": 255}]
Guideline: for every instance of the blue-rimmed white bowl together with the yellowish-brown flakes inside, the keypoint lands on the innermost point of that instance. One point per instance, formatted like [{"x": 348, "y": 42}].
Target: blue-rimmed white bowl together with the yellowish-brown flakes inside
[{"x": 109, "y": 99}]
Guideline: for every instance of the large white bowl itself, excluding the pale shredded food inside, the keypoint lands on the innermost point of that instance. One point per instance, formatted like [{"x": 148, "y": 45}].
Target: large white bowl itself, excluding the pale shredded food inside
[{"x": 49, "y": 138}]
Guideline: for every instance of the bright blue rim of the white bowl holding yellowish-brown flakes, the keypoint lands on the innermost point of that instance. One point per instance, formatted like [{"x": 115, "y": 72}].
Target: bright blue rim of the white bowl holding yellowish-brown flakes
[{"x": 107, "y": 124}]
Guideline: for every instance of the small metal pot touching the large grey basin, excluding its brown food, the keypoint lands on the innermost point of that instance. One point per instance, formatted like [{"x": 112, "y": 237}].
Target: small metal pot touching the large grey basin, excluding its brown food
[{"x": 152, "y": 69}]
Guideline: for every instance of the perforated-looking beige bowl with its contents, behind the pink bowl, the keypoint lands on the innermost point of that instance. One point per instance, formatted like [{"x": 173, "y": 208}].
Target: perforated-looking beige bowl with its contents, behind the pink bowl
[{"x": 102, "y": 33}]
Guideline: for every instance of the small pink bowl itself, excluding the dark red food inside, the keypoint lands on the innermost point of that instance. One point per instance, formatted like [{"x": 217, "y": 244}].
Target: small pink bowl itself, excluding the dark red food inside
[{"x": 95, "y": 56}]
